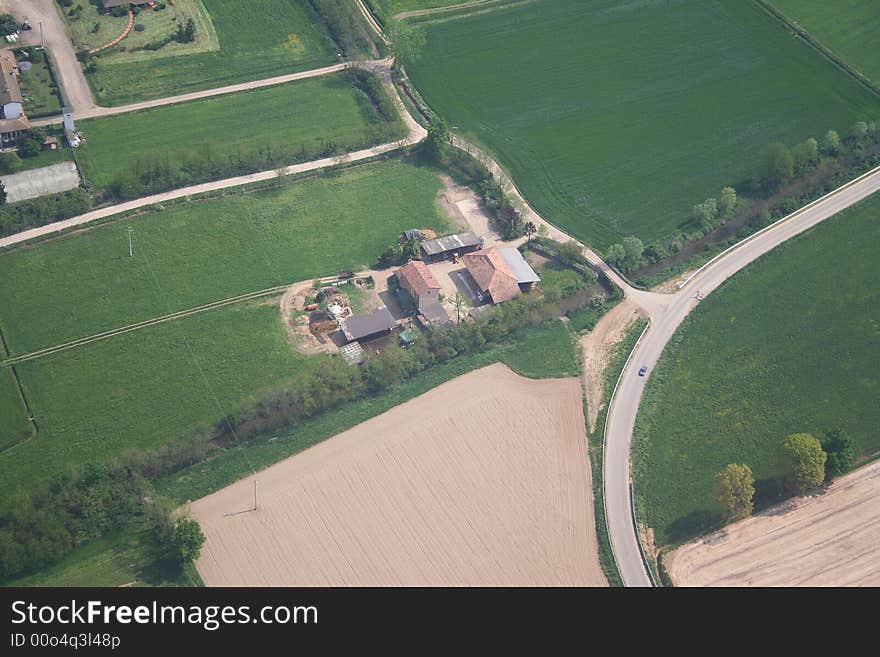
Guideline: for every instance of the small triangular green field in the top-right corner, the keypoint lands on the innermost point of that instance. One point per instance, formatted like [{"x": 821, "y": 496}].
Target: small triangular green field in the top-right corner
[{"x": 850, "y": 28}]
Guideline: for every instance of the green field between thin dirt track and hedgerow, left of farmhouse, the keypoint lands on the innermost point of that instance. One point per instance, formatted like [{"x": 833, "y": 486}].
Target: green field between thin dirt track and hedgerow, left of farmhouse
[{"x": 138, "y": 390}]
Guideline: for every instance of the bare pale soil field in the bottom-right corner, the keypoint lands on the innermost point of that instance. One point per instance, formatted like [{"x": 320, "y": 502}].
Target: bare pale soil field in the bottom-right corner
[{"x": 827, "y": 539}]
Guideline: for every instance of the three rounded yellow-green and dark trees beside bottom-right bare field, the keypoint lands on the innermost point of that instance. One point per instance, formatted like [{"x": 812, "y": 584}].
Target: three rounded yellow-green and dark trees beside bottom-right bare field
[{"x": 805, "y": 462}]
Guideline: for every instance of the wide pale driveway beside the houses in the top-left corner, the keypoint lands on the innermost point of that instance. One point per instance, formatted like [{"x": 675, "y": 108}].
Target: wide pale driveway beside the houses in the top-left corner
[{"x": 68, "y": 71}]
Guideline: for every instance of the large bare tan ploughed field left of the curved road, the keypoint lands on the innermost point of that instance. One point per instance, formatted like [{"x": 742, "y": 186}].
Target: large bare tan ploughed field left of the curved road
[{"x": 484, "y": 480}]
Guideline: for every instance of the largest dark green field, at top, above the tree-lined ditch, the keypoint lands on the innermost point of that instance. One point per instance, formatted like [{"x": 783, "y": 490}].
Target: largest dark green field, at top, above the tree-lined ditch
[{"x": 614, "y": 119}]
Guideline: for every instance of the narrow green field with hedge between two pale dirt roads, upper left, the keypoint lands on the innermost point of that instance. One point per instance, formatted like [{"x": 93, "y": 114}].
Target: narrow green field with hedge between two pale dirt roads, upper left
[{"x": 251, "y": 131}]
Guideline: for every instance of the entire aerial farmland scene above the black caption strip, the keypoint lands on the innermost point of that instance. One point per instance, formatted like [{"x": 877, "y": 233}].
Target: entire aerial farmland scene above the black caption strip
[{"x": 431, "y": 293}]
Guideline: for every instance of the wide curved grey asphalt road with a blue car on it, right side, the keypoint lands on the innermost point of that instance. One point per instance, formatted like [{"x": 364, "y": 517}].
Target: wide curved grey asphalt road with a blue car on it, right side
[{"x": 666, "y": 313}]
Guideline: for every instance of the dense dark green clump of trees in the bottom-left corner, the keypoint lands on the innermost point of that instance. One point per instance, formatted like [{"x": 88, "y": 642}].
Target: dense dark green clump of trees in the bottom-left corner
[{"x": 75, "y": 508}]
